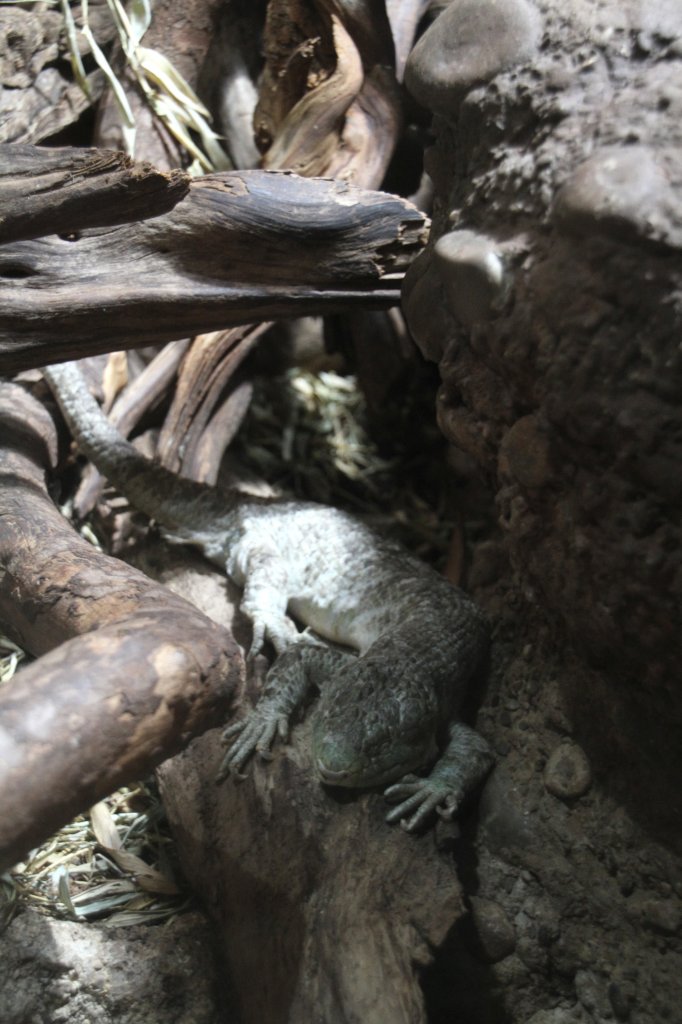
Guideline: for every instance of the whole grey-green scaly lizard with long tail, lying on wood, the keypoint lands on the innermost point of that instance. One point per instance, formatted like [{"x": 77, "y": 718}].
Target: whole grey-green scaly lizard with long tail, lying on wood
[{"x": 385, "y": 713}]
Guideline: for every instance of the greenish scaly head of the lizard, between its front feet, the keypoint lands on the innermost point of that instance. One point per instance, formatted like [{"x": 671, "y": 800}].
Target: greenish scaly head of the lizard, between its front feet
[{"x": 371, "y": 728}]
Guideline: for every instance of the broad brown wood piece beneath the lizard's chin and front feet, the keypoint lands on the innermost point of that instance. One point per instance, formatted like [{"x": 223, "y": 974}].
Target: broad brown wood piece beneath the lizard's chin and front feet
[{"x": 313, "y": 892}]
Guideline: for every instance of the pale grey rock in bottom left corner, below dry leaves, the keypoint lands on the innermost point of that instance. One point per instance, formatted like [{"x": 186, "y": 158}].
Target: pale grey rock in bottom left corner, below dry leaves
[{"x": 62, "y": 971}]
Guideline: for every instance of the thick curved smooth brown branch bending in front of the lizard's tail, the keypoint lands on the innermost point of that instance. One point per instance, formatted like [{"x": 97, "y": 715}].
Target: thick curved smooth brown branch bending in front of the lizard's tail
[{"x": 143, "y": 671}]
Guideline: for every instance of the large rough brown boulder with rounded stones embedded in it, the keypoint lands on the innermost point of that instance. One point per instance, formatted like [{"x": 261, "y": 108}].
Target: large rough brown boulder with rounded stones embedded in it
[{"x": 557, "y": 258}]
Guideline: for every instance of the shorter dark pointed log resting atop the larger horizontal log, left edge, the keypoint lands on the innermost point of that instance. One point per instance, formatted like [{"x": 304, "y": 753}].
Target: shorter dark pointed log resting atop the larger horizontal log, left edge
[{"x": 61, "y": 192}]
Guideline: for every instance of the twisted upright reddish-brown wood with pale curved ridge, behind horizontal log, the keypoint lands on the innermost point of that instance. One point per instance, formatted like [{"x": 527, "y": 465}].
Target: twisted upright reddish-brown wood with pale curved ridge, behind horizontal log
[{"x": 330, "y": 106}]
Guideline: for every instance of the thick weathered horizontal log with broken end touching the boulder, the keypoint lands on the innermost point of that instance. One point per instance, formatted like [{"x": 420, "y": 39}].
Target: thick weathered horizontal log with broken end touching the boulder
[{"x": 241, "y": 247}]
